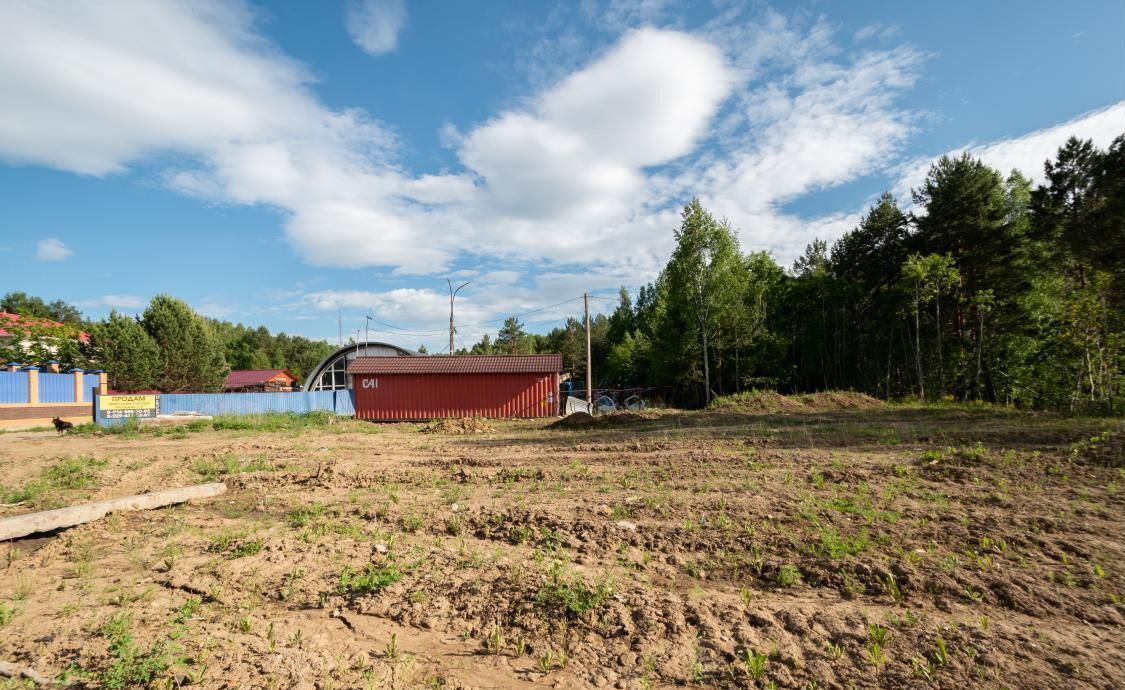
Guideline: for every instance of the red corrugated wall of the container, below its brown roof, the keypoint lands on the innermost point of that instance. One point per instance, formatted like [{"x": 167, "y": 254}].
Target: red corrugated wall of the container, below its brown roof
[{"x": 420, "y": 397}]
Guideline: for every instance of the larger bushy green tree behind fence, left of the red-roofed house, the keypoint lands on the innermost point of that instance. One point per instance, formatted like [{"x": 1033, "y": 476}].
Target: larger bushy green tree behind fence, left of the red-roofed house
[{"x": 192, "y": 359}]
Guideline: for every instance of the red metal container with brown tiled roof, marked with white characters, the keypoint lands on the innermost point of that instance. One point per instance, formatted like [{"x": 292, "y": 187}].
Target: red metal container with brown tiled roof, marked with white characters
[{"x": 401, "y": 389}]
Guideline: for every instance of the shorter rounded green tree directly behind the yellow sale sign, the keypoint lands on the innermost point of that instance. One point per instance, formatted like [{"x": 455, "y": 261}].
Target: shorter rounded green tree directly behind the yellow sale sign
[{"x": 122, "y": 347}]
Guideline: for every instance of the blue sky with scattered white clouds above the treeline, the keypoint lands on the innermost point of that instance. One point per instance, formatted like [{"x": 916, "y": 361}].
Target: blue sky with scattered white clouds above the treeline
[{"x": 274, "y": 163}]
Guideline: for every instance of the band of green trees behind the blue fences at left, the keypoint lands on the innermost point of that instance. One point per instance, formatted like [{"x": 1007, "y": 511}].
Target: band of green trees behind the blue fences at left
[{"x": 169, "y": 347}]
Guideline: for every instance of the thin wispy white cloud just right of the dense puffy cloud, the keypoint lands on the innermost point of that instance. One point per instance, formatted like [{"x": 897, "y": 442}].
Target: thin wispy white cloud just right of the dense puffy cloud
[{"x": 825, "y": 121}]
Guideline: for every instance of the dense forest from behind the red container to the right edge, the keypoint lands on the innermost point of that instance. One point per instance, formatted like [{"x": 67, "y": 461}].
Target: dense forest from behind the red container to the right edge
[{"x": 988, "y": 290}]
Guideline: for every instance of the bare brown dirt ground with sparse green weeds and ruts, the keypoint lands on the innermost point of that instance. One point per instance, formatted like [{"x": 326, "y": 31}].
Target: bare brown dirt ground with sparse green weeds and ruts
[{"x": 878, "y": 546}]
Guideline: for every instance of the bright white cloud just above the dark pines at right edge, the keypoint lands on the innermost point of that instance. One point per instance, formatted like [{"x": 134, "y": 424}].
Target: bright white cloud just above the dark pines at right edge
[{"x": 1025, "y": 154}]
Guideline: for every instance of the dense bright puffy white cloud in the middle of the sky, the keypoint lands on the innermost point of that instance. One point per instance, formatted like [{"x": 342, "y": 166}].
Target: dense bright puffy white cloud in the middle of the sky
[{"x": 562, "y": 176}]
